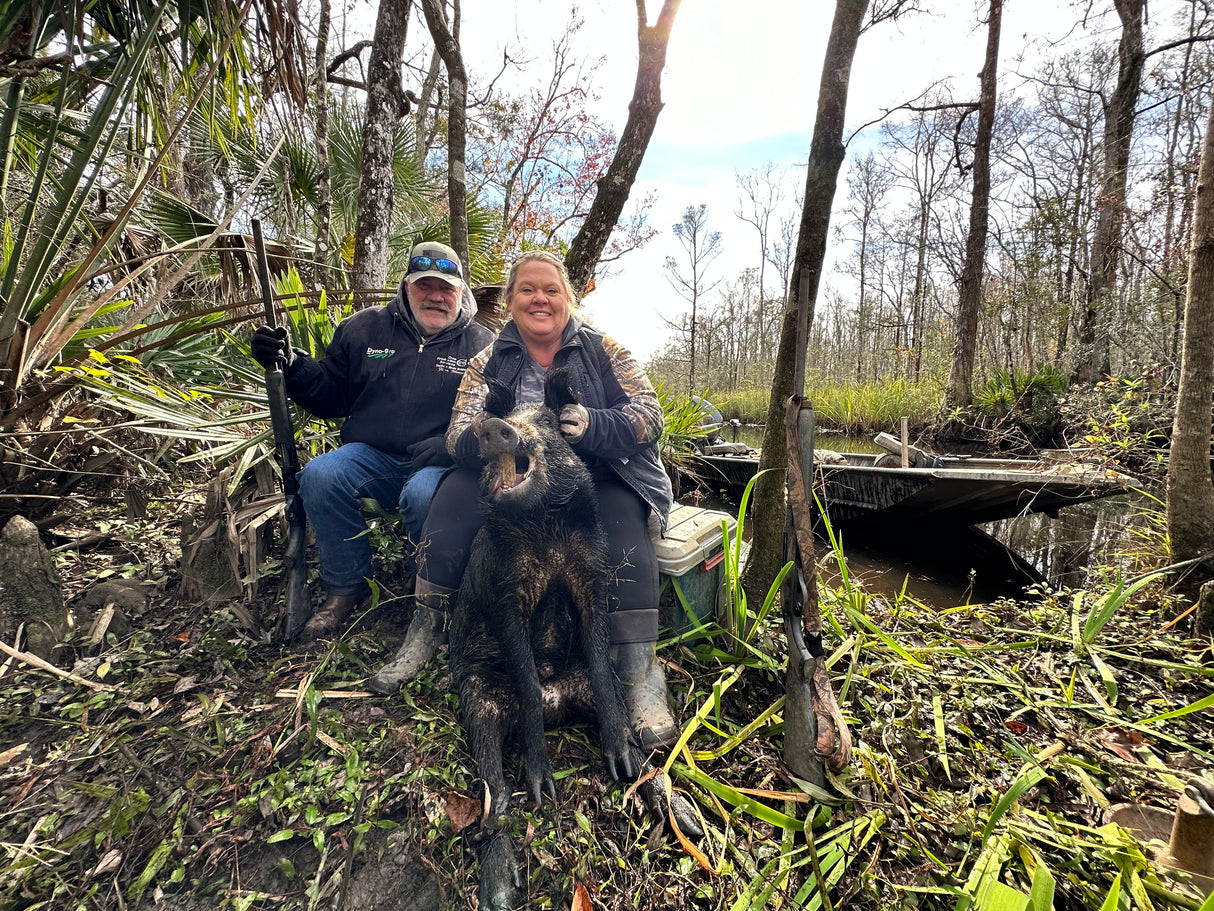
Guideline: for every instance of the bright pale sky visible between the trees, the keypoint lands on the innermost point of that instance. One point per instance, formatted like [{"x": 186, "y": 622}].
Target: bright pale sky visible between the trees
[{"x": 740, "y": 92}]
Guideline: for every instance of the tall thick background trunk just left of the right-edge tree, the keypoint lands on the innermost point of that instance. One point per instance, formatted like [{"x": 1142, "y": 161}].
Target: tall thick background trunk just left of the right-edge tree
[{"x": 1094, "y": 359}]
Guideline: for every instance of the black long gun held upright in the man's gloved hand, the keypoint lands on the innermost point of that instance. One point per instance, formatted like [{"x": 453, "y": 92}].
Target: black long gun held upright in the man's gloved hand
[{"x": 298, "y": 606}]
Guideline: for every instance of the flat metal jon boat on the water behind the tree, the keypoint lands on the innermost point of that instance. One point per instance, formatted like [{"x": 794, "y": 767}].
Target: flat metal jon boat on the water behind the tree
[{"x": 939, "y": 490}]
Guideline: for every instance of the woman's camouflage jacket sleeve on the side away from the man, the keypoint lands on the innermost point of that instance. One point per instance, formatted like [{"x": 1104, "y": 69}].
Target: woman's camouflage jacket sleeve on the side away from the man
[{"x": 633, "y": 417}]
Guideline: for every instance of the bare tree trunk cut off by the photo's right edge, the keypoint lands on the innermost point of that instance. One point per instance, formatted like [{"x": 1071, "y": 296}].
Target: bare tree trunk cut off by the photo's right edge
[{"x": 1190, "y": 491}]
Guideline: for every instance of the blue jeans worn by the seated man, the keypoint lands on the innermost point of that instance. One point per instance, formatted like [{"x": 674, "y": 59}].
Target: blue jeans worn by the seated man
[{"x": 332, "y": 486}]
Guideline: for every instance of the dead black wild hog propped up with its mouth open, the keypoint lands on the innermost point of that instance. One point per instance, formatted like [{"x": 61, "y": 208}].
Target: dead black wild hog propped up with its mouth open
[{"x": 530, "y": 635}]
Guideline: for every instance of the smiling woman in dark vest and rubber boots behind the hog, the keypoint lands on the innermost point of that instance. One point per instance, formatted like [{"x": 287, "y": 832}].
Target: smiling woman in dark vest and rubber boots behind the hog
[{"x": 615, "y": 431}]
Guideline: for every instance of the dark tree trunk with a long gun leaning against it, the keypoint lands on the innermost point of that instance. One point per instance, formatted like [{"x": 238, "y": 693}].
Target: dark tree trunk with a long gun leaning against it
[{"x": 826, "y": 157}]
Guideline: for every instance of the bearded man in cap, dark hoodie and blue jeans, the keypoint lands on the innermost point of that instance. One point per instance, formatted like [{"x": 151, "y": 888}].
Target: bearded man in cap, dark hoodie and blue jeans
[{"x": 393, "y": 374}]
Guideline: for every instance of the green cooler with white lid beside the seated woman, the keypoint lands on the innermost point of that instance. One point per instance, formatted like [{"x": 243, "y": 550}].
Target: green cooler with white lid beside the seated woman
[{"x": 691, "y": 557}]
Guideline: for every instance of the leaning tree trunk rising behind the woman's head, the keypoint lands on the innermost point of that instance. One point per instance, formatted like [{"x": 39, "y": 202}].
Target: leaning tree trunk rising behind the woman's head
[{"x": 643, "y": 118}]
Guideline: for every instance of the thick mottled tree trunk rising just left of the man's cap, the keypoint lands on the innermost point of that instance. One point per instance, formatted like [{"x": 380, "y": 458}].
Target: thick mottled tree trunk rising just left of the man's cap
[{"x": 385, "y": 106}]
